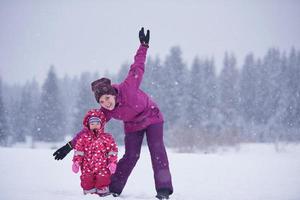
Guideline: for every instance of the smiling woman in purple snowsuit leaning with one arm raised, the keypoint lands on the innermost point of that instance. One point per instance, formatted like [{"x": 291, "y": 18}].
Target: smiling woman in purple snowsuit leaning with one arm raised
[{"x": 127, "y": 102}]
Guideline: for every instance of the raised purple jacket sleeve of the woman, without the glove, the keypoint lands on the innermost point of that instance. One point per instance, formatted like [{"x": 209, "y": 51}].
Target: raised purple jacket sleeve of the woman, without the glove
[{"x": 136, "y": 71}]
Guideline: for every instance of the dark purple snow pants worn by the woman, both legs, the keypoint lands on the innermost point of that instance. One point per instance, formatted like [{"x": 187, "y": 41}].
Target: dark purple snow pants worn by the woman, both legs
[{"x": 160, "y": 164}]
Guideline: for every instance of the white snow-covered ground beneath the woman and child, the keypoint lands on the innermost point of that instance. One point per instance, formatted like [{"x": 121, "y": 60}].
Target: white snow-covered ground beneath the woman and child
[{"x": 255, "y": 172}]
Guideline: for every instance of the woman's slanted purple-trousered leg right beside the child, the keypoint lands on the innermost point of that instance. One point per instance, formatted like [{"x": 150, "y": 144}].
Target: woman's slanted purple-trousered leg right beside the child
[{"x": 133, "y": 143}]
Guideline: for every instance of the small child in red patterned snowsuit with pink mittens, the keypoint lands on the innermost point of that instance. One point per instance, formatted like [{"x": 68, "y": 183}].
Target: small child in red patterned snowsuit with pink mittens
[{"x": 95, "y": 154}]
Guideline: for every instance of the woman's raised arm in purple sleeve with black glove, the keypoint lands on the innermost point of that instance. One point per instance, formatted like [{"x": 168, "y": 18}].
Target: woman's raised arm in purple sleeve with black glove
[{"x": 136, "y": 71}]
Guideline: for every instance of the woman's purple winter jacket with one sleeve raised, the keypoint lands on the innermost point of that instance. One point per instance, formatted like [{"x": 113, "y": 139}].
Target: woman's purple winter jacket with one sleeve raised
[{"x": 134, "y": 107}]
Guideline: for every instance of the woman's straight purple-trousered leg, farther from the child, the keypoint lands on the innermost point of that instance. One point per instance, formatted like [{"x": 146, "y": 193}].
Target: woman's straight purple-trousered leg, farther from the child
[{"x": 160, "y": 164}]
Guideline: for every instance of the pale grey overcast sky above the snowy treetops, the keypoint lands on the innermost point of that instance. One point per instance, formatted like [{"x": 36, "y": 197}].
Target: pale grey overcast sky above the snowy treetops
[{"x": 100, "y": 35}]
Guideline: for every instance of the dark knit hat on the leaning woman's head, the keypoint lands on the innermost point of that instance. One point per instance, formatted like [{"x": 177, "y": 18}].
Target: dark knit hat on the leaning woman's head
[{"x": 102, "y": 86}]
